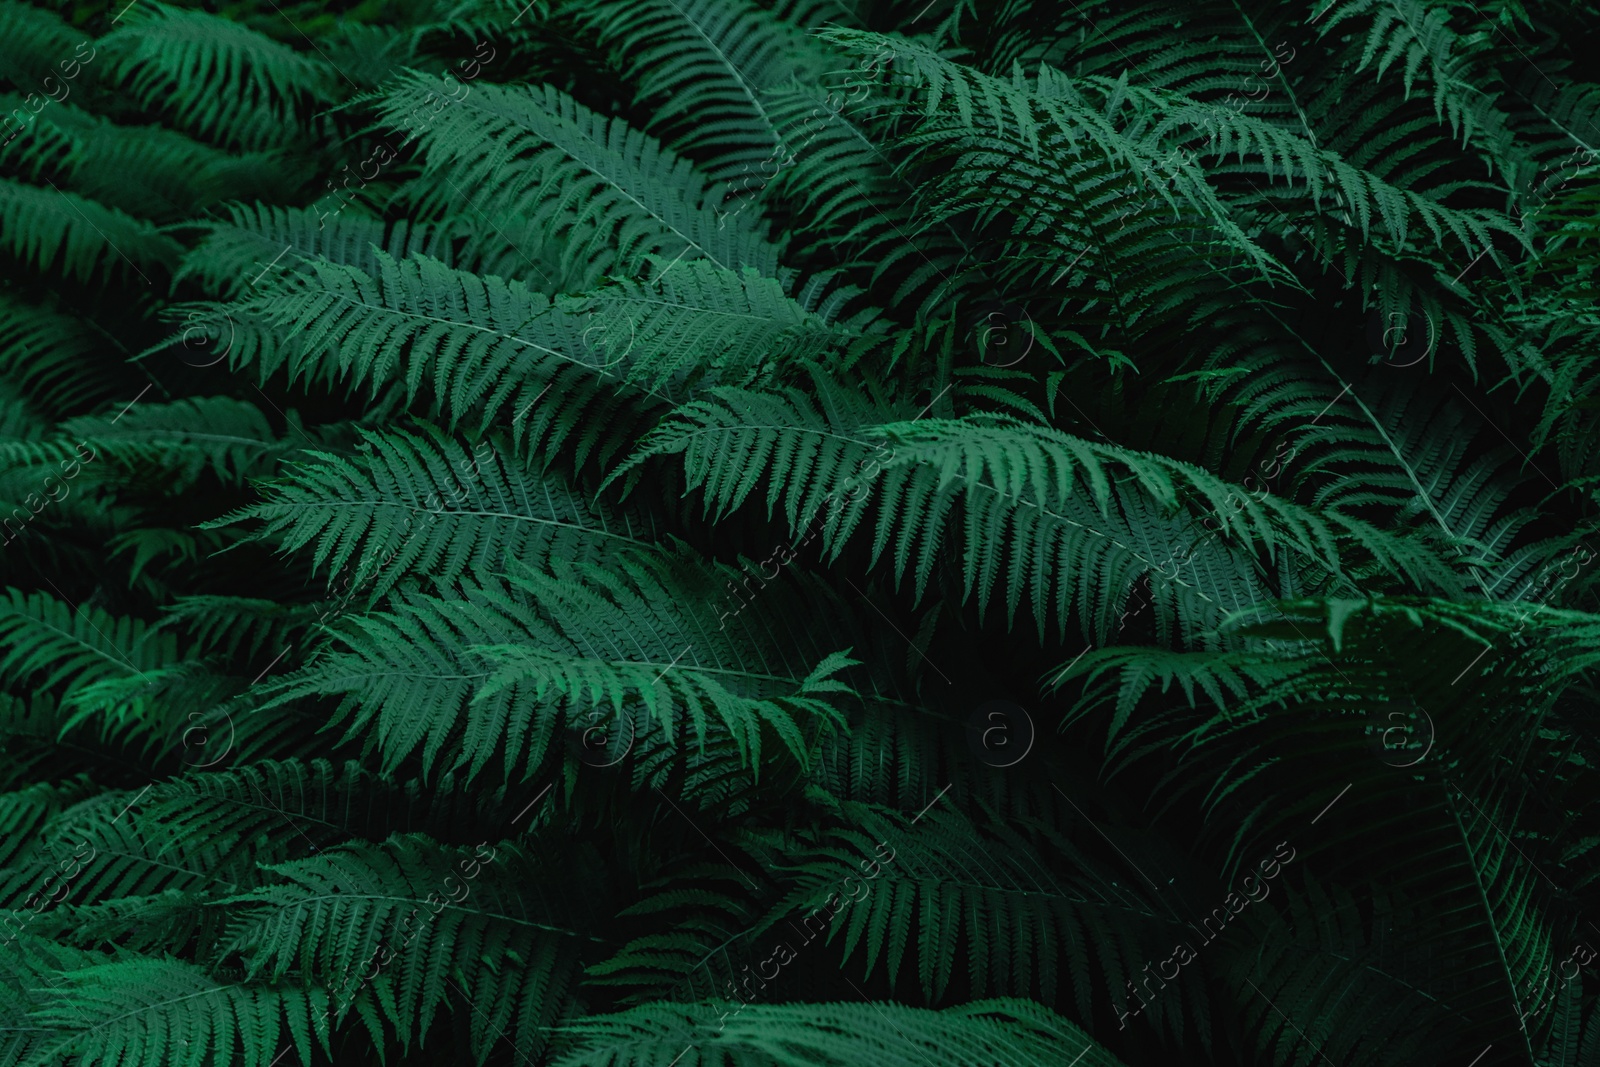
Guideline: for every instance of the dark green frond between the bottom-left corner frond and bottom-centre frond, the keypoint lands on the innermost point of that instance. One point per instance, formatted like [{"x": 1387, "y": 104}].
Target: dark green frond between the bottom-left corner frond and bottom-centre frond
[{"x": 425, "y": 916}]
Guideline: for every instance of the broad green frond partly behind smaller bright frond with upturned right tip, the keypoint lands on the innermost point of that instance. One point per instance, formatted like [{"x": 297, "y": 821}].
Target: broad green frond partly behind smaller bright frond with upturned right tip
[{"x": 415, "y": 676}]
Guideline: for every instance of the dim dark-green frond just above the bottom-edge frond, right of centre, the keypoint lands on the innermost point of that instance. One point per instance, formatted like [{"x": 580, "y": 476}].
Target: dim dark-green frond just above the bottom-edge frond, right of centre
[{"x": 948, "y": 889}]
